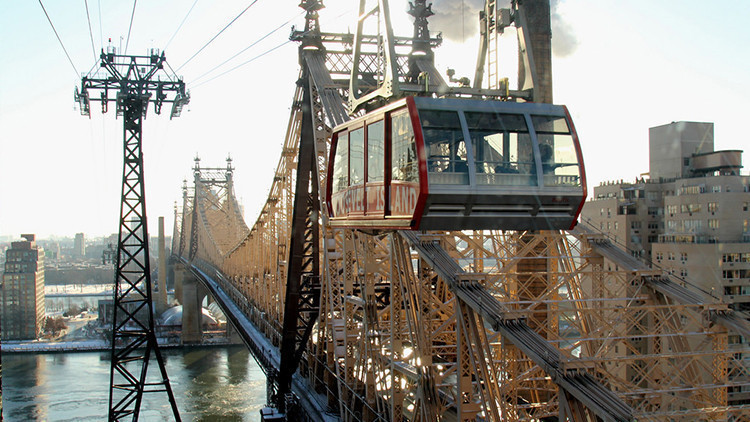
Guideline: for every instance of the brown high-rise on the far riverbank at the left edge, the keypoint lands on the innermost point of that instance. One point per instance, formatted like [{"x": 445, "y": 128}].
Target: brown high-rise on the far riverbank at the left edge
[{"x": 23, "y": 290}]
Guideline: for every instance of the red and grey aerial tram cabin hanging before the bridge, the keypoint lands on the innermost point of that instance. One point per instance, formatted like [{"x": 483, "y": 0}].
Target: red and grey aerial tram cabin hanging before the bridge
[{"x": 457, "y": 164}]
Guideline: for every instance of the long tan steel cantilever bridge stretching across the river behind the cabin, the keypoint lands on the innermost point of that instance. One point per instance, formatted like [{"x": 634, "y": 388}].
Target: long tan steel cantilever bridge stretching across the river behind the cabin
[{"x": 461, "y": 325}]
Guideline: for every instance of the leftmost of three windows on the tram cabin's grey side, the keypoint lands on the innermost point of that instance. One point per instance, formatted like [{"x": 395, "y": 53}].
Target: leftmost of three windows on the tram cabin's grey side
[{"x": 445, "y": 147}]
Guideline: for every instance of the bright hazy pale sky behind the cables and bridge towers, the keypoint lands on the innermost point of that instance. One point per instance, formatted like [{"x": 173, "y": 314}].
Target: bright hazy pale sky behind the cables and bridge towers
[{"x": 620, "y": 67}]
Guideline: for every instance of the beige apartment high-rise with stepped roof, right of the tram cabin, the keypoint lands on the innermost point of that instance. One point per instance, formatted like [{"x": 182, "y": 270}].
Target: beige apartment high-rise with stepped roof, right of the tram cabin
[{"x": 690, "y": 217}]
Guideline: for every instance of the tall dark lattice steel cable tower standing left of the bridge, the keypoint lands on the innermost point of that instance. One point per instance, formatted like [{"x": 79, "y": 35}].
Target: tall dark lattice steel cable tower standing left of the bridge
[{"x": 132, "y": 83}]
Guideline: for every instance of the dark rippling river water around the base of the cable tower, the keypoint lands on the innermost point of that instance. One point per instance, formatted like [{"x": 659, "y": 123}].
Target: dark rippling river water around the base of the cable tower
[{"x": 210, "y": 384}]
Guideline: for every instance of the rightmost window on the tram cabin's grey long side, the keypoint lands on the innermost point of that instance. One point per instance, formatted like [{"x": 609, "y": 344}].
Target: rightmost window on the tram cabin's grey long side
[{"x": 557, "y": 151}]
